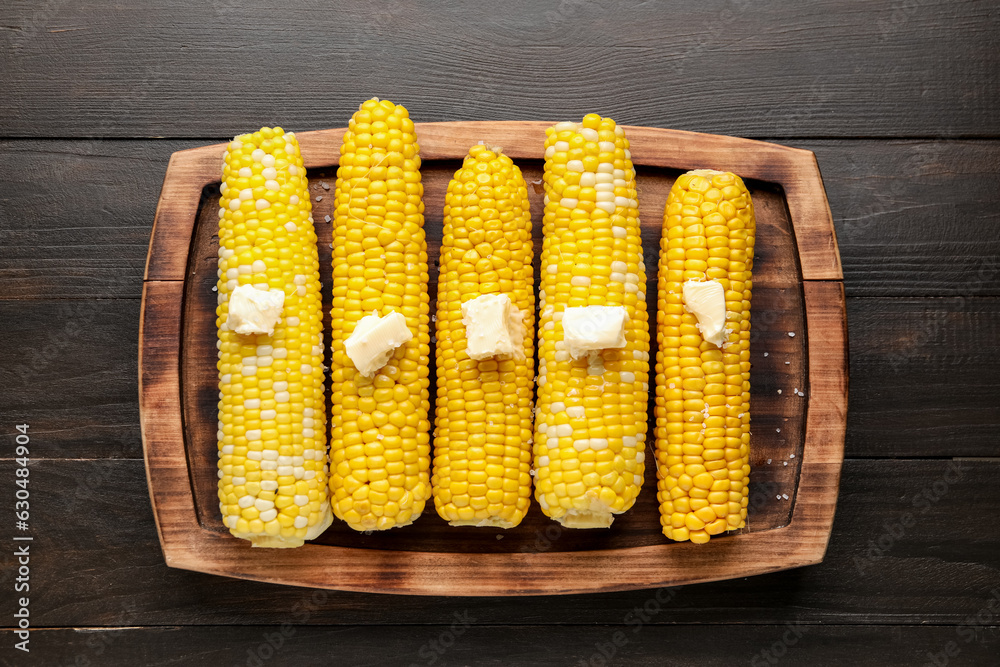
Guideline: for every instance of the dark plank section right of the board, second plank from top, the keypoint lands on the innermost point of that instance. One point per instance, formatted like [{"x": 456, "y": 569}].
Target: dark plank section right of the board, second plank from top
[{"x": 915, "y": 217}]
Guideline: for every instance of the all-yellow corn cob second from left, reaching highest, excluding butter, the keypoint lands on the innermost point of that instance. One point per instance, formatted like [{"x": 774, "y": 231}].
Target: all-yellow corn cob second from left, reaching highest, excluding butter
[{"x": 379, "y": 434}]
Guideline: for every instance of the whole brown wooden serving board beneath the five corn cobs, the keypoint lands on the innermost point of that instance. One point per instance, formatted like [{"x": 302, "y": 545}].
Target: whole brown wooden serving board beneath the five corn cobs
[{"x": 797, "y": 445}]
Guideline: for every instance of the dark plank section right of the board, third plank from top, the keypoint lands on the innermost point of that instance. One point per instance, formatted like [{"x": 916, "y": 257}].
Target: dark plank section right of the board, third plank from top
[{"x": 925, "y": 376}]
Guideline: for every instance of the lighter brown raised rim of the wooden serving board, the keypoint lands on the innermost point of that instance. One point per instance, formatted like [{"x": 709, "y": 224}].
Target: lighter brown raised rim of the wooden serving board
[{"x": 188, "y": 545}]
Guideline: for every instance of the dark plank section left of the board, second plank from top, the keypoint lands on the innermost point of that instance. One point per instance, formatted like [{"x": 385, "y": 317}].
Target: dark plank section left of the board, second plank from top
[{"x": 77, "y": 216}]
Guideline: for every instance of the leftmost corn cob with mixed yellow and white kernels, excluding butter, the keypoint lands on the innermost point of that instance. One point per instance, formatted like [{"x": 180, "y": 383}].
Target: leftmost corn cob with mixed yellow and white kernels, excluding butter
[{"x": 272, "y": 446}]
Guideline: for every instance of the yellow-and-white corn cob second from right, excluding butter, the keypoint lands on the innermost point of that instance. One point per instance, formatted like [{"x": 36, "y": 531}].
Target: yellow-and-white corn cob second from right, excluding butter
[{"x": 591, "y": 417}]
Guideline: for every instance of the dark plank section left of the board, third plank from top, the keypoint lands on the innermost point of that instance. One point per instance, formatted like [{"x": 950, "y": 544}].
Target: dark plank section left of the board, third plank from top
[{"x": 72, "y": 375}]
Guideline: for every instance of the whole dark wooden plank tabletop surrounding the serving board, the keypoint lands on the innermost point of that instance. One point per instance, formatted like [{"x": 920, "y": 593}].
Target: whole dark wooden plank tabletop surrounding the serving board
[{"x": 900, "y": 101}]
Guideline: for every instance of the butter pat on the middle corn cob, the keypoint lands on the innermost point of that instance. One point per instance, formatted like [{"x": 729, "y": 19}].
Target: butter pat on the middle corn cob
[{"x": 493, "y": 327}]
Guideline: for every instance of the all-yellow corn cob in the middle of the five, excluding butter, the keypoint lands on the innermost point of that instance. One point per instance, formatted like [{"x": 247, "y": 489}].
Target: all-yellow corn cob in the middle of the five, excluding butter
[{"x": 482, "y": 440}]
